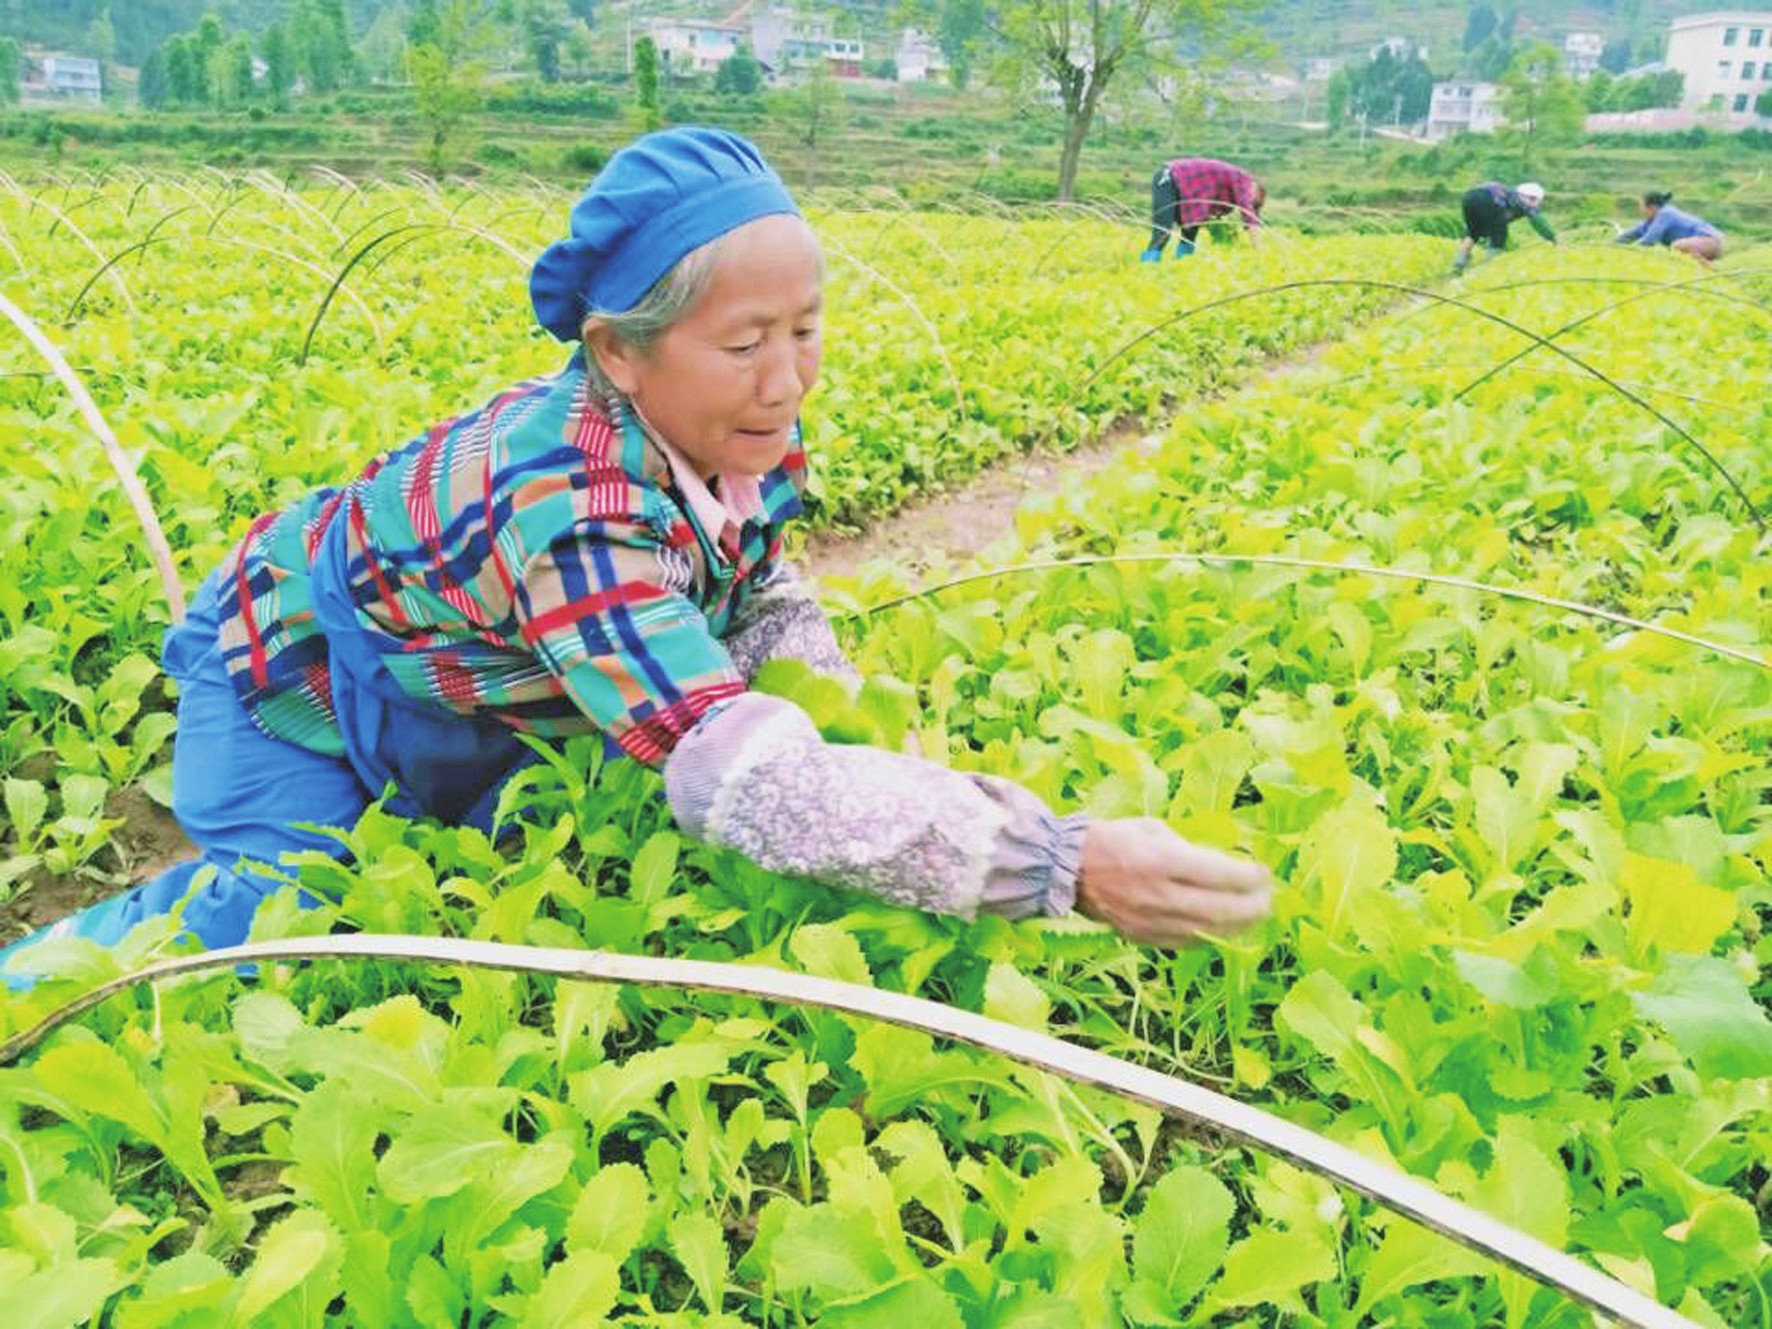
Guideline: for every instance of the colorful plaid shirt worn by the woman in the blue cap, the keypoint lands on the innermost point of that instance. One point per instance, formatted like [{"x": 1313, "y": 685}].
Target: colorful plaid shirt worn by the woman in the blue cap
[{"x": 532, "y": 561}]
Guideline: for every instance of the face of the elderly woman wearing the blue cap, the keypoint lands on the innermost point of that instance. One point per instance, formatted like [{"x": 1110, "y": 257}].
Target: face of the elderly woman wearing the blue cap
[{"x": 726, "y": 382}]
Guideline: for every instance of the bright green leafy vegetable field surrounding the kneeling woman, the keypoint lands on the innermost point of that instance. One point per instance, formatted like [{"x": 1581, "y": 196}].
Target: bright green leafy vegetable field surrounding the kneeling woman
[{"x": 1473, "y": 655}]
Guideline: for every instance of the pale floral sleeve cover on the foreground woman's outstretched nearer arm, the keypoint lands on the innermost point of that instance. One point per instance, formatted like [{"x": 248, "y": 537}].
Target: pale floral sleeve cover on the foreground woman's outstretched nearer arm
[{"x": 758, "y": 779}]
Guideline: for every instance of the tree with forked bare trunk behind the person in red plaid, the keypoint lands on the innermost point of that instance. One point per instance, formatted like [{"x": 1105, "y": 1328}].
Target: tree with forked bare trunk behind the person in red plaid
[{"x": 1082, "y": 47}]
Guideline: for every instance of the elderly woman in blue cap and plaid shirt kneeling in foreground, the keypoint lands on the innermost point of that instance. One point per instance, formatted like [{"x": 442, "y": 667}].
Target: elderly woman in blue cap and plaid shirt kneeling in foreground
[{"x": 602, "y": 552}]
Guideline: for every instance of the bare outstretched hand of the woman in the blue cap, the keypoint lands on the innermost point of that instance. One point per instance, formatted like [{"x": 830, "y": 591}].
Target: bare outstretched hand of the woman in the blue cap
[{"x": 1160, "y": 890}]
